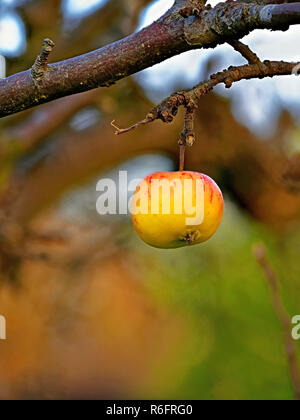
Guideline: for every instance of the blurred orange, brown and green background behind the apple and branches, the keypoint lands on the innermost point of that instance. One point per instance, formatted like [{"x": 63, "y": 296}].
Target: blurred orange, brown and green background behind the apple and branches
[{"x": 92, "y": 312}]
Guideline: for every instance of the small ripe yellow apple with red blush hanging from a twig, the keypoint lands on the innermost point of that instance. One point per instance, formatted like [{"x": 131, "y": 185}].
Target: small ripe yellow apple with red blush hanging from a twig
[{"x": 176, "y": 209}]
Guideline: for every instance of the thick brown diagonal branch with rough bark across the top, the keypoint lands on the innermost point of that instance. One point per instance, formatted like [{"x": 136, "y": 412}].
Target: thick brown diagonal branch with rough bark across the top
[{"x": 169, "y": 36}]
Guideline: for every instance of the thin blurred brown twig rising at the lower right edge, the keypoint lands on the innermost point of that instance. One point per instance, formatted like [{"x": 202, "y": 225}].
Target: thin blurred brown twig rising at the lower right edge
[{"x": 260, "y": 255}]
